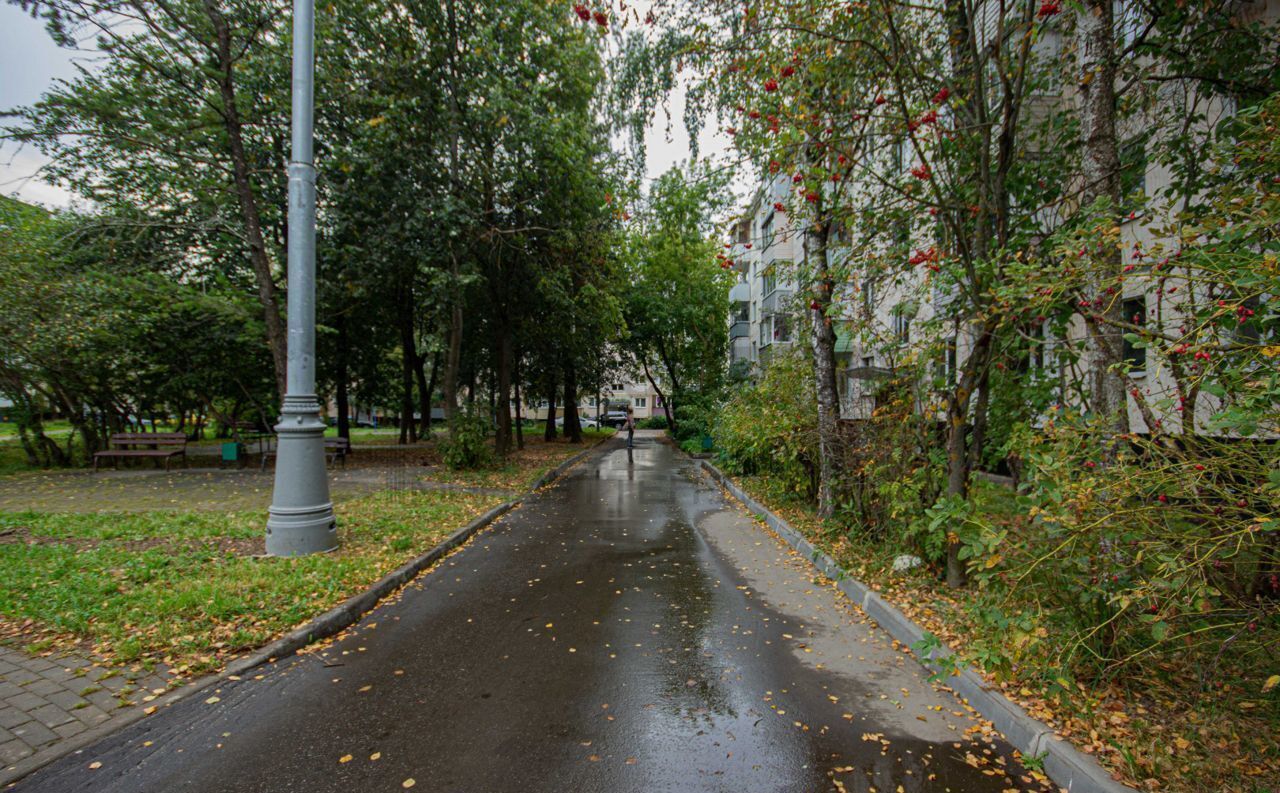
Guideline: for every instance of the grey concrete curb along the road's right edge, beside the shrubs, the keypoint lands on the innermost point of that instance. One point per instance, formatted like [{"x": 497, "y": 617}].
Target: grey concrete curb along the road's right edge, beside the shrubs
[{"x": 1069, "y": 768}]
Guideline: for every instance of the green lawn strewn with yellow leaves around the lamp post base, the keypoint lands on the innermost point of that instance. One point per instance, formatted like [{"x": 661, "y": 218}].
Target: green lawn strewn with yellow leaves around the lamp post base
[{"x": 191, "y": 589}]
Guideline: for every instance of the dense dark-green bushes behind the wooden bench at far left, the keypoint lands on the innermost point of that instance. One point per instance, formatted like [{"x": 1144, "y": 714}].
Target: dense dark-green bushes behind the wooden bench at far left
[{"x": 93, "y": 336}]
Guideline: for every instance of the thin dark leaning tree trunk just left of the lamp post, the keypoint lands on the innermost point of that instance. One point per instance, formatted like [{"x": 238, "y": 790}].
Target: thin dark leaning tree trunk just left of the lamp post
[{"x": 262, "y": 264}]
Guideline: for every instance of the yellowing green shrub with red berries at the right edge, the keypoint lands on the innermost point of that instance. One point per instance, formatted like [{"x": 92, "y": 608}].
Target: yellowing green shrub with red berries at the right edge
[{"x": 1169, "y": 539}]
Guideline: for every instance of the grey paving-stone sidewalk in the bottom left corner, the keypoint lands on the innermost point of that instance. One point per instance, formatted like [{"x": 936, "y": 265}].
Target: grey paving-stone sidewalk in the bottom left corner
[{"x": 45, "y": 702}]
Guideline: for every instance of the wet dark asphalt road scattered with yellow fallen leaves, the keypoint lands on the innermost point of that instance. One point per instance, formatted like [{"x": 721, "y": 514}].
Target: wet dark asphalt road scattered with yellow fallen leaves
[{"x": 625, "y": 630}]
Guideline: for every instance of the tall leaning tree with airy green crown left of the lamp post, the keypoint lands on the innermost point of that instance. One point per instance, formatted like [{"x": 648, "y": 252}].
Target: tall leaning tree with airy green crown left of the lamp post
[{"x": 166, "y": 125}]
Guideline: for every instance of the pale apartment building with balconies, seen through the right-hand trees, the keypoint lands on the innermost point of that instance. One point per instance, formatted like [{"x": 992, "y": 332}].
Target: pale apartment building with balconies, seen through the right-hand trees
[{"x": 889, "y": 314}]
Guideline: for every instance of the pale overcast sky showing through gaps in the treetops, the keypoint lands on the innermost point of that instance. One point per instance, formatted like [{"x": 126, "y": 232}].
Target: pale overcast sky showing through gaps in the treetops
[{"x": 30, "y": 63}]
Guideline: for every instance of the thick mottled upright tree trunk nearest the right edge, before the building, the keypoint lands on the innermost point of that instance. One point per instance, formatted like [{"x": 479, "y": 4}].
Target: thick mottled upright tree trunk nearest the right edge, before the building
[{"x": 1101, "y": 180}]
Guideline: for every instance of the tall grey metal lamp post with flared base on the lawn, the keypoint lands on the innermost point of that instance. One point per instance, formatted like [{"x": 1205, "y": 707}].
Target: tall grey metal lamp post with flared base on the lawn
[{"x": 301, "y": 516}]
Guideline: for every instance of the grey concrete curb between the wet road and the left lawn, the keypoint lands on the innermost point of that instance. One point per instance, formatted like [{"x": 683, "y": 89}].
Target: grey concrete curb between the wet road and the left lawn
[{"x": 332, "y": 622}]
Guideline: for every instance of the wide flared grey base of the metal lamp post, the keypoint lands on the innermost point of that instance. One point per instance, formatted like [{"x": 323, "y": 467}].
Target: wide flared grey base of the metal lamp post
[{"x": 301, "y": 516}]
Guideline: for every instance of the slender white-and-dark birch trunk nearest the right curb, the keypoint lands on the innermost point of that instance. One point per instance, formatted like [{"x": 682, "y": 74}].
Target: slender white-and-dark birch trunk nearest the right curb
[{"x": 824, "y": 365}]
